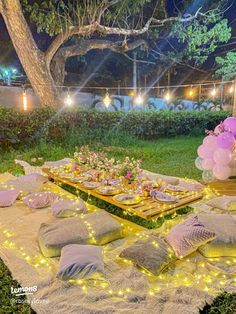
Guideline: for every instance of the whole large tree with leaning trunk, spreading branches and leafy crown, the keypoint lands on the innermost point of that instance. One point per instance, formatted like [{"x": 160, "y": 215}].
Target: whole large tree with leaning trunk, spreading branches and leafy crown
[{"x": 190, "y": 33}]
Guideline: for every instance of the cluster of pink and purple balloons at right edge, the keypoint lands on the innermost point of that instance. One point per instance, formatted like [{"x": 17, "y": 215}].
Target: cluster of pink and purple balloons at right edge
[{"x": 217, "y": 154}]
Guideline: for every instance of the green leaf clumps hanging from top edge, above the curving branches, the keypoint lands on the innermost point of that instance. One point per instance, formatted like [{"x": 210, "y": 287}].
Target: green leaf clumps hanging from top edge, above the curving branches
[{"x": 54, "y": 16}]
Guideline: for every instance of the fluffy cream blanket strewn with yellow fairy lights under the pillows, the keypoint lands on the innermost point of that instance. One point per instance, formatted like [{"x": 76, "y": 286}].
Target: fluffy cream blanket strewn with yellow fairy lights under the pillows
[{"x": 185, "y": 288}]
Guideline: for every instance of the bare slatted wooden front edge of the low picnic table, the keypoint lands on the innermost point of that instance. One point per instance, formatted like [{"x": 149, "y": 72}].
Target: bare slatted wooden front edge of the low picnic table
[{"x": 148, "y": 208}]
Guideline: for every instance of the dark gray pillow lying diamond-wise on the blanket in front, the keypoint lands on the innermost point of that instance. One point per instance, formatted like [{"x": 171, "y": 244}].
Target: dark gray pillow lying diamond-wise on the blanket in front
[{"x": 152, "y": 254}]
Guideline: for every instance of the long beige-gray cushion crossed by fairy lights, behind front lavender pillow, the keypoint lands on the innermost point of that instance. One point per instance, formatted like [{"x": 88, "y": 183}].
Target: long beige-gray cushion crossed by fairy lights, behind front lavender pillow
[{"x": 96, "y": 228}]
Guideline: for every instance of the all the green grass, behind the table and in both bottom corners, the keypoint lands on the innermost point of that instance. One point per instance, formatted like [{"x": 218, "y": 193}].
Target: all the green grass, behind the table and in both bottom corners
[{"x": 173, "y": 156}]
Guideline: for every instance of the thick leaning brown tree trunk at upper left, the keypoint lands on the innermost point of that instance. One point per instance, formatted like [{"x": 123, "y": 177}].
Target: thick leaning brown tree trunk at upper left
[{"x": 32, "y": 59}]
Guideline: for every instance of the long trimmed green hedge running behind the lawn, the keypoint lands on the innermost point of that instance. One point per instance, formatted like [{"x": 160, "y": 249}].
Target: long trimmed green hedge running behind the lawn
[{"x": 18, "y": 127}]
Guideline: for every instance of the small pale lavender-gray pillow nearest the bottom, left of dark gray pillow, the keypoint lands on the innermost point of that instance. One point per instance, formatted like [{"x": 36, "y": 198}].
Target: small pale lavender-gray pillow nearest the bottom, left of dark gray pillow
[{"x": 80, "y": 261}]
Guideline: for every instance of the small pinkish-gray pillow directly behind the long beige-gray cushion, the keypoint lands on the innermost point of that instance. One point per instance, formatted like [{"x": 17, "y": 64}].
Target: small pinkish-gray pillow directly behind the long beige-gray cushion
[{"x": 68, "y": 208}]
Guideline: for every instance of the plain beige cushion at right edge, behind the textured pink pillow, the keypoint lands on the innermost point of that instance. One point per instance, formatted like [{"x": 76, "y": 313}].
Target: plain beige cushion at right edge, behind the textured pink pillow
[{"x": 224, "y": 226}]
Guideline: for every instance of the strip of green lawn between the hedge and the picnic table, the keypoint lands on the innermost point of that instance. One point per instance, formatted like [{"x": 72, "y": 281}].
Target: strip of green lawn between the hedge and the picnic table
[{"x": 173, "y": 156}]
